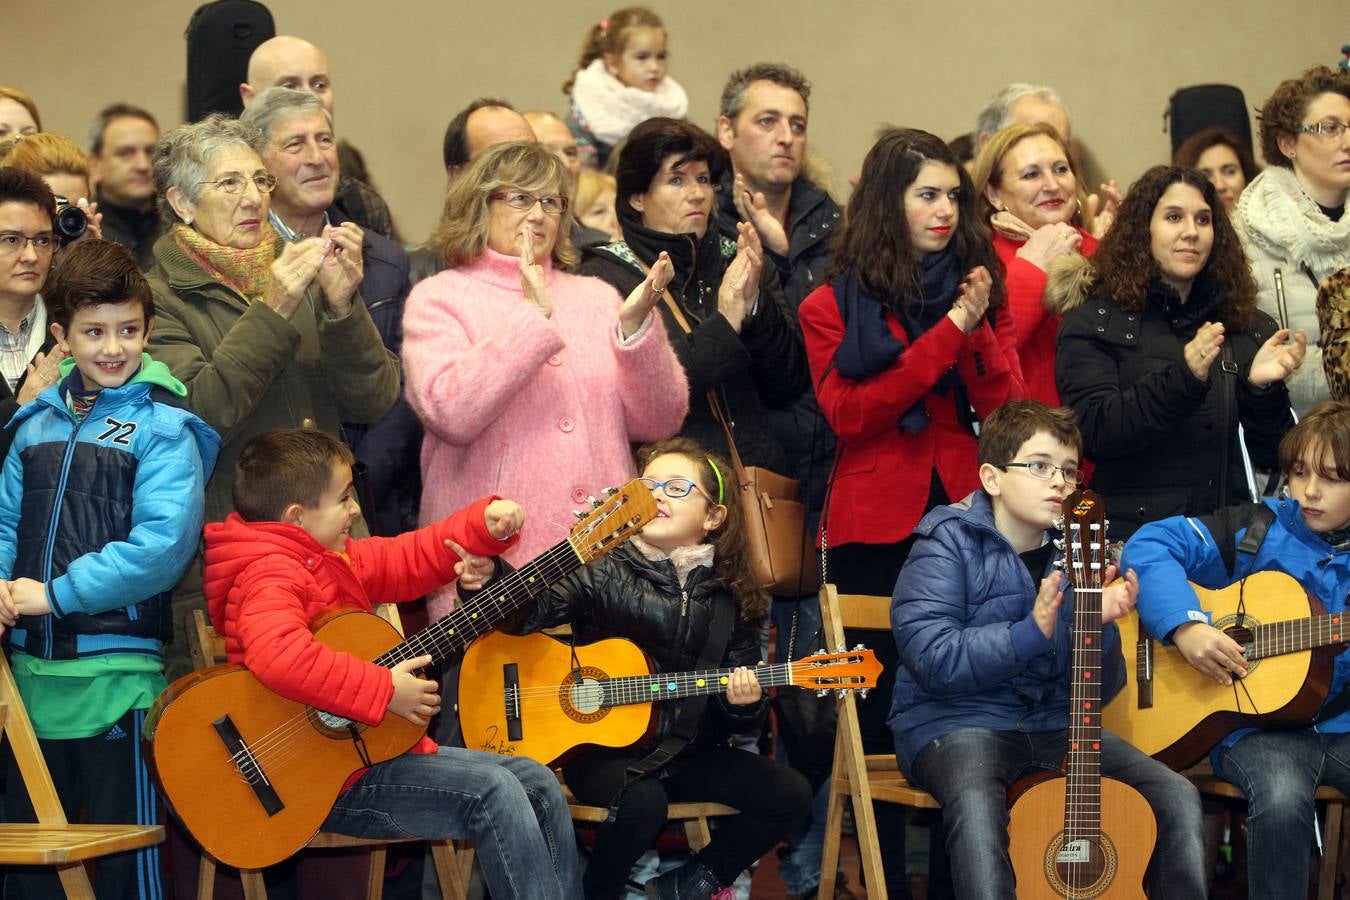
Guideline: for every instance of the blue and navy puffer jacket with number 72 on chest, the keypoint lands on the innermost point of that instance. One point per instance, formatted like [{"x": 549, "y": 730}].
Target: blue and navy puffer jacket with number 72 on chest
[{"x": 107, "y": 515}]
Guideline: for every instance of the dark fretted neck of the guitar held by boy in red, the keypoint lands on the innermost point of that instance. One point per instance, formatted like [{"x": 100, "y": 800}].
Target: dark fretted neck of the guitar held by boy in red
[{"x": 446, "y": 639}]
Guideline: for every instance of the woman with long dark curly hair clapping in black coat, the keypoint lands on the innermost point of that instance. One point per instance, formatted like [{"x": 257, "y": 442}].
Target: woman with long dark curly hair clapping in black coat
[{"x": 1168, "y": 354}]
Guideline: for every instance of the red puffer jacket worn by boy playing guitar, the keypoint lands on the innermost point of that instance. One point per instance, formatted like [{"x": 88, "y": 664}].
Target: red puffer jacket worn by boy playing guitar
[{"x": 267, "y": 582}]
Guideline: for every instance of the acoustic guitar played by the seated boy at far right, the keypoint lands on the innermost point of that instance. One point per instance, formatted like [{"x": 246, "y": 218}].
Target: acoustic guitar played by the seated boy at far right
[{"x": 1175, "y": 713}]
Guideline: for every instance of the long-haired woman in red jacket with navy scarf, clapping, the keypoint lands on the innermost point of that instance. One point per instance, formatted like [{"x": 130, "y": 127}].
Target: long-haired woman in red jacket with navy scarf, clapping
[{"x": 901, "y": 349}]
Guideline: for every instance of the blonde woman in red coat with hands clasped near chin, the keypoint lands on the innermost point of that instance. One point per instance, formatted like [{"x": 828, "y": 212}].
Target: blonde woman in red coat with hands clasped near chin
[{"x": 1029, "y": 194}]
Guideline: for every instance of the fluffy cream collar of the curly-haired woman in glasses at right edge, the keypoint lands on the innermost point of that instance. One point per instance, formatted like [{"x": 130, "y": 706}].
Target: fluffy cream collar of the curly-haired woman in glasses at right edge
[{"x": 1283, "y": 222}]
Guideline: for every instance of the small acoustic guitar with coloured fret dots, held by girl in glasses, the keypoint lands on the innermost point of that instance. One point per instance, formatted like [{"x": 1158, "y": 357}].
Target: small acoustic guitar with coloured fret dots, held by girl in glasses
[{"x": 538, "y": 697}]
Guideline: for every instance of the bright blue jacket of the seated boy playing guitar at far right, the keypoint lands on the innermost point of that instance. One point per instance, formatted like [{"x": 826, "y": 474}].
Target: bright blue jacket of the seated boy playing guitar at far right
[{"x": 1172, "y": 551}]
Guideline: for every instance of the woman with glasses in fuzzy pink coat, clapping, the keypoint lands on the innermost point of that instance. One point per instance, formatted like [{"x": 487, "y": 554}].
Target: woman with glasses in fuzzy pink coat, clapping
[{"x": 531, "y": 383}]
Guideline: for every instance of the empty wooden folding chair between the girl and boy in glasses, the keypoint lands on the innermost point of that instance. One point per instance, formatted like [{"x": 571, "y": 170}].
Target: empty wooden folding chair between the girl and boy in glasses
[{"x": 857, "y": 777}]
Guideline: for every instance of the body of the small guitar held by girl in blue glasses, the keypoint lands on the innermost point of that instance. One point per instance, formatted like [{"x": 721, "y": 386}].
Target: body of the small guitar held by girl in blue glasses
[{"x": 554, "y": 719}]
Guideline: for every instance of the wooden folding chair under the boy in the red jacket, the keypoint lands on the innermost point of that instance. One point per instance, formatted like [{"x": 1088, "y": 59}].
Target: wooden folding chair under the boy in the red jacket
[{"x": 453, "y": 866}]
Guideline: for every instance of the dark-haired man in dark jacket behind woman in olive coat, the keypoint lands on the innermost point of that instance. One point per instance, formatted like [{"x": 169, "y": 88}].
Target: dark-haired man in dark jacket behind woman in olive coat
[{"x": 122, "y": 148}]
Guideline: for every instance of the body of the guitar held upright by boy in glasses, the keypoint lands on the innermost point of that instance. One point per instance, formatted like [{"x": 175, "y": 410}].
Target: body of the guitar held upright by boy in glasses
[{"x": 1114, "y": 867}]
